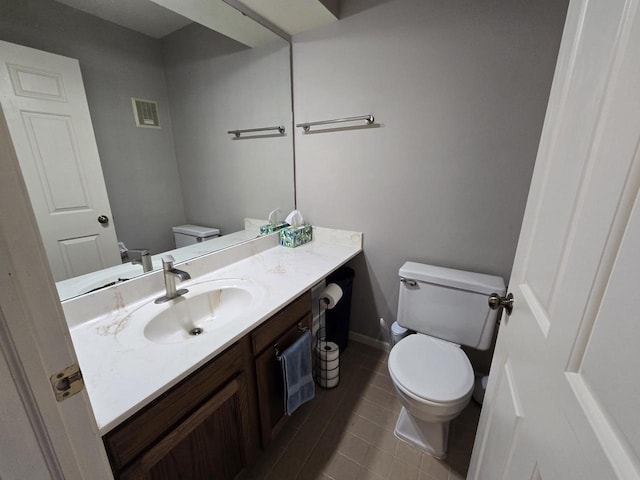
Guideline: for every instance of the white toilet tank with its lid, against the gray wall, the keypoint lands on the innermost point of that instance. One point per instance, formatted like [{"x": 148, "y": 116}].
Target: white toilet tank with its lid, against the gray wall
[{"x": 448, "y": 304}]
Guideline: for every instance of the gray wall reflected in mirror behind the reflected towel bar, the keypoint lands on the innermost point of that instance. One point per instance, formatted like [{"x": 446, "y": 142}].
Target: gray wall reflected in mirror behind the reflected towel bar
[{"x": 216, "y": 85}]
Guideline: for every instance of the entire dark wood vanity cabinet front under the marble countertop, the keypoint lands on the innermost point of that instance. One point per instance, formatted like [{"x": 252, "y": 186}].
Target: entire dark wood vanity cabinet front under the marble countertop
[{"x": 206, "y": 427}]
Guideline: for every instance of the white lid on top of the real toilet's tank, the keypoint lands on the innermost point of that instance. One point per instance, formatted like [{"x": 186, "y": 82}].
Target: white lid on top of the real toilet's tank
[{"x": 449, "y": 277}]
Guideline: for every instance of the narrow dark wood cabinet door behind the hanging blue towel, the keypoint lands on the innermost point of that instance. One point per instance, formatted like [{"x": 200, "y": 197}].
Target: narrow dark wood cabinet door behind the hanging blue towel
[{"x": 270, "y": 382}]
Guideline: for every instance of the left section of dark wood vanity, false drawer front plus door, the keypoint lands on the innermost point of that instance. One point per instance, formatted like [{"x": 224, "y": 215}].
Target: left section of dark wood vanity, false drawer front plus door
[{"x": 202, "y": 428}]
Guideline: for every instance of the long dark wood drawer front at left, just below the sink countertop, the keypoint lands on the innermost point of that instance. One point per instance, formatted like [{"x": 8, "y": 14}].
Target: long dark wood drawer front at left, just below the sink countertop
[{"x": 130, "y": 439}]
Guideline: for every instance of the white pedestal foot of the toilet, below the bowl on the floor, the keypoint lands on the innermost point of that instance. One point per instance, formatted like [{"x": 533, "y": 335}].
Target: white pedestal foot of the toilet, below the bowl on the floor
[{"x": 431, "y": 438}]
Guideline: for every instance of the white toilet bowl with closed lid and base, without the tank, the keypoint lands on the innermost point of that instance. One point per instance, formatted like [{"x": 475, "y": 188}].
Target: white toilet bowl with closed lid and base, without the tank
[{"x": 434, "y": 381}]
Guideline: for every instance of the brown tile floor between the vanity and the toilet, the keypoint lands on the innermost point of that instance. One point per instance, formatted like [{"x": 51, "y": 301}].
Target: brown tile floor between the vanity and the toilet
[{"x": 347, "y": 432}]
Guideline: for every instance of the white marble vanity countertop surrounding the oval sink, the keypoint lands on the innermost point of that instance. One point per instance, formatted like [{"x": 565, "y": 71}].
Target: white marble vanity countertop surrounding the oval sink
[{"x": 121, "y": 377}]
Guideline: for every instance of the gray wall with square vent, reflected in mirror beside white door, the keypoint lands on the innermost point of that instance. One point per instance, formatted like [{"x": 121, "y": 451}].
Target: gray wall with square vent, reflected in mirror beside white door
[{"x": 139, "y": 164}]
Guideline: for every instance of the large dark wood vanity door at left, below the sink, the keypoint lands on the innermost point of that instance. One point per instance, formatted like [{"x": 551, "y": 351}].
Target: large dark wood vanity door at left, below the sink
[{"x": 209, "y": 444}]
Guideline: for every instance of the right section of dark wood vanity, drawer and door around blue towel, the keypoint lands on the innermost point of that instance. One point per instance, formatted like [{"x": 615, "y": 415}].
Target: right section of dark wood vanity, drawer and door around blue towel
[{"x": 282, "y": 330}]
